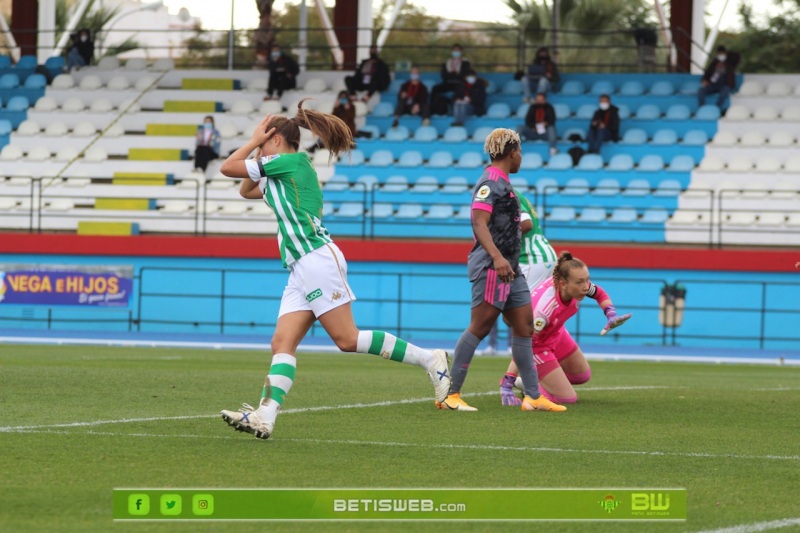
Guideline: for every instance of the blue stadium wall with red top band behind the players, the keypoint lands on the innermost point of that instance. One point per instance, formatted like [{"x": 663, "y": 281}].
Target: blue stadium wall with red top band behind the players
[{"x": 735, "y": 298}]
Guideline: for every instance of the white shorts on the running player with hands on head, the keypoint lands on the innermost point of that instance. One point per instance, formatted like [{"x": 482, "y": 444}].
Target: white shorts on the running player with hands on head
[{"x": 317, "y": 283}]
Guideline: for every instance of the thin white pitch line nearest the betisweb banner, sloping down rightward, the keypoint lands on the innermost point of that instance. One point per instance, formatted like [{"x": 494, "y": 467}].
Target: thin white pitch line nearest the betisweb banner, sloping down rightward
[{"x": 486, "y": 447}]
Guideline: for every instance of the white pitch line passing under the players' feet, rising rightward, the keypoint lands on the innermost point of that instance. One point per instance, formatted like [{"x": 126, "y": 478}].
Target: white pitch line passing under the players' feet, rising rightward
[{"x": 7, "y": 429}]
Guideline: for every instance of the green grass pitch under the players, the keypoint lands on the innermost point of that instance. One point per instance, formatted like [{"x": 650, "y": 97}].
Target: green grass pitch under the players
[{"x": 729, "y": 434}]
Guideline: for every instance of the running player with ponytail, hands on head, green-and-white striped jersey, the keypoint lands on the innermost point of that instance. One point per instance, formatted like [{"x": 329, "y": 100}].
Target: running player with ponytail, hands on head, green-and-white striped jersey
[{"x": 317, "y": 288}]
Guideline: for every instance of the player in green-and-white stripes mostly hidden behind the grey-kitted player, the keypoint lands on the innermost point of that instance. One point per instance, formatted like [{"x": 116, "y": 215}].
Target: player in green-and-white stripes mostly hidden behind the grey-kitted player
[{"x": 537, "y": 258}]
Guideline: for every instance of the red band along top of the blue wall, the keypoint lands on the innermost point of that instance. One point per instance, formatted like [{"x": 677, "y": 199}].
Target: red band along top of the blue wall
[{"x": 601, "y": 256}]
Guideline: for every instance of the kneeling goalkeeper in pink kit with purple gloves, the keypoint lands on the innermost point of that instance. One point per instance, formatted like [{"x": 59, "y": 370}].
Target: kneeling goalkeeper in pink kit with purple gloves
[{"x": 559, "y": 361}]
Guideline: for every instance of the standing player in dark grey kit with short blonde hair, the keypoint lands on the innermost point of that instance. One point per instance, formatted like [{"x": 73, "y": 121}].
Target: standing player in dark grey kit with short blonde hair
[{"x": 498, "y": 285}]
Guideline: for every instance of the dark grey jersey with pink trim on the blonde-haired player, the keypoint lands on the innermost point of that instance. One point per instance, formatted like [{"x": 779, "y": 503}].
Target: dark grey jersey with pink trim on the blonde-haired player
[{"x": 493, "y": 193}]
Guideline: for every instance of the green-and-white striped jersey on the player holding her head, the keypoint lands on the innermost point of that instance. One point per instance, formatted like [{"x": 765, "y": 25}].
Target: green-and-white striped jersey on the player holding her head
[{"x": 292, "y": 190}]
